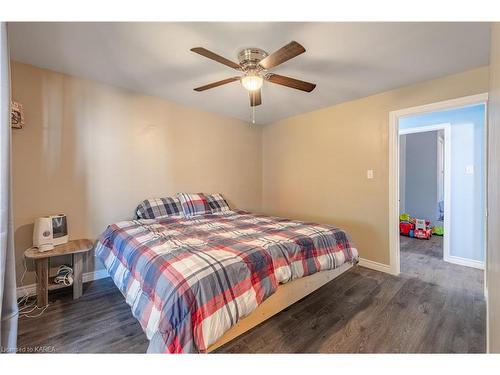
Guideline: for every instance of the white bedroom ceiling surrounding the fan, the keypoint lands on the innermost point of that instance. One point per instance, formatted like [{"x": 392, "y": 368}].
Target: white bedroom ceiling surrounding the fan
[{"x": 345, "y": 60}]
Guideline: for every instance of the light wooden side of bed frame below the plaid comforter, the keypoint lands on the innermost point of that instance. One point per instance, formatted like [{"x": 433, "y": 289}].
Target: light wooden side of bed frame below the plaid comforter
[{"x": 285, "y": 295}]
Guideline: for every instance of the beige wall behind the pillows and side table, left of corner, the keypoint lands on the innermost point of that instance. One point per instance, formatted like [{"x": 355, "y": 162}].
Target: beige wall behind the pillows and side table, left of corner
[{"x": 93, "y": 152}]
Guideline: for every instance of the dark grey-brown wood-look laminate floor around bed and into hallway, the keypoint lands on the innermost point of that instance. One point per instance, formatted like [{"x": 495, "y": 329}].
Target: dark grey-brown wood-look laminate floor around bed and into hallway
[{"x": 433, "y": 307}]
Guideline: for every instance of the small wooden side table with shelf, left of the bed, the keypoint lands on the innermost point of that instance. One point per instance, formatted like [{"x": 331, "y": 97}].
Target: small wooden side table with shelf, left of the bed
[{"x": 76, "y": 248}]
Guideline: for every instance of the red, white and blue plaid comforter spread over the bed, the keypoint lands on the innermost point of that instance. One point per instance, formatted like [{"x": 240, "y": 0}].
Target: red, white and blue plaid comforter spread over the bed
[{"x": 188, "y": 281}]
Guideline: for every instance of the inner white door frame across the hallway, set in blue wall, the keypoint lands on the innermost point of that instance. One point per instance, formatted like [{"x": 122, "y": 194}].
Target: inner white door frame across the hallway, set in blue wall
[{"x": 447, "y": 178}]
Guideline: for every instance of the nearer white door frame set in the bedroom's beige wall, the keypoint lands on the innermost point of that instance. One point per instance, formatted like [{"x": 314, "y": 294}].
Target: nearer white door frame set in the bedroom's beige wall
[{"x": 394, "y": 117}]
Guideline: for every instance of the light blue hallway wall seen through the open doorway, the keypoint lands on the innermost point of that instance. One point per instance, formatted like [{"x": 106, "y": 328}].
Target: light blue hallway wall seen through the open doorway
[{"x": 467, "y": 190}]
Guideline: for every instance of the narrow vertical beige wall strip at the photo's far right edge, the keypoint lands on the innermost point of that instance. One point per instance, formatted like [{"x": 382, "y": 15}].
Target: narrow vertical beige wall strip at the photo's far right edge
[{"x": 493, "y": 260}]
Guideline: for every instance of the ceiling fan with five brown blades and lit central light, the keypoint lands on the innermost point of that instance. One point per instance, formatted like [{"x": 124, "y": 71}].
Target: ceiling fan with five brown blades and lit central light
[{"x": 255, "y": 63}]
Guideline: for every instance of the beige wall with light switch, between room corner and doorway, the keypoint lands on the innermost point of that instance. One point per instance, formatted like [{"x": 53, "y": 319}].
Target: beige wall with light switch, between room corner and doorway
[{"x": 314, "y": 165}]
